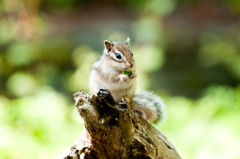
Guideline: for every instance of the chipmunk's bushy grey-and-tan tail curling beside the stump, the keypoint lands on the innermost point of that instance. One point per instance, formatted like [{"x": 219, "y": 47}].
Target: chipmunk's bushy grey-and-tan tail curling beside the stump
[{"x": 149, "y": 106}]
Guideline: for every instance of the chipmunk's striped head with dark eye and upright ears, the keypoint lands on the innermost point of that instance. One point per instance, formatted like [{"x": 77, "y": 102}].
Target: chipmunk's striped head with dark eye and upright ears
[{"x": 118, "y": 55}]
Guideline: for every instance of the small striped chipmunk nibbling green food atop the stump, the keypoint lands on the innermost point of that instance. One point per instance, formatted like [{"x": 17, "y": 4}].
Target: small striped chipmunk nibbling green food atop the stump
[{"x": 115, "y": 71}]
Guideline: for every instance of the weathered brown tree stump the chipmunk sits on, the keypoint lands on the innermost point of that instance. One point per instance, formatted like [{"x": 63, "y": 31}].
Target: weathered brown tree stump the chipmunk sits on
[{"x": 114, "y": 130}]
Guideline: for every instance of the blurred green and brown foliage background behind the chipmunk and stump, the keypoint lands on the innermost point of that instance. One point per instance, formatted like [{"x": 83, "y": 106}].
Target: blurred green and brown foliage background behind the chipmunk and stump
[{"x": 187, "y": 52}]
